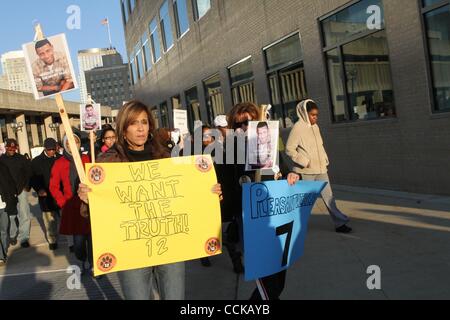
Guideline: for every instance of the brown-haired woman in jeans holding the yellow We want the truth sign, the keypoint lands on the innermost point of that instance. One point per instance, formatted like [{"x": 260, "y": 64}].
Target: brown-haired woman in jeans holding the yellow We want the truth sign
[{"x": 136, "y": 142}]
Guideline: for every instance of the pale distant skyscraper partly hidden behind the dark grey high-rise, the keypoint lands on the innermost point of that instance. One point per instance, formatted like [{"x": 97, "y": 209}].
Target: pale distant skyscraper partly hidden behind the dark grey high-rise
[{"x": 88, "y": 60}]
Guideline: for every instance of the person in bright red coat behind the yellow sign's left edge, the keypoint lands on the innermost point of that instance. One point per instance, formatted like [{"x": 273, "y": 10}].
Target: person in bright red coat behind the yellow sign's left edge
[{"x": 64, "y": 183}]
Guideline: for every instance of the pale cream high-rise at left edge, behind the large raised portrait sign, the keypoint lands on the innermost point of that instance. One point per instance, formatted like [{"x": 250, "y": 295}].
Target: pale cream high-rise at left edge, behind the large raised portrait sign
[{"x": 15, "y": 75}]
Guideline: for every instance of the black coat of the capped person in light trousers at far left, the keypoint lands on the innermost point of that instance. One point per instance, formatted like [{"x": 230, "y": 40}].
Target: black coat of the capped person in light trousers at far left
[{"x": 20, "y": 169}]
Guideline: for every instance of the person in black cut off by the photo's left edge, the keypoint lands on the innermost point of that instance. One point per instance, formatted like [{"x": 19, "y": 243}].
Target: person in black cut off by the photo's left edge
[{"x": 8, "y": 206}]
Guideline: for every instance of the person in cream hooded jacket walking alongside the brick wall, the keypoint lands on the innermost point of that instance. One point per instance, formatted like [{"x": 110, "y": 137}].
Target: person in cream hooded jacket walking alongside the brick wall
[{"x": 305, "y": 148}]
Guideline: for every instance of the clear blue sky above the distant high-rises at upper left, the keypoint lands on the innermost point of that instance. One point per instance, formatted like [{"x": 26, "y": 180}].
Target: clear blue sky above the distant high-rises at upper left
[{"x": 17, "y": 16}]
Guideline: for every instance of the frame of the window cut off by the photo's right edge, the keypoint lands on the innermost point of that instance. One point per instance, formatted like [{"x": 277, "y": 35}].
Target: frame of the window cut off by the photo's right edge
[{"x": 423, "y": 11}]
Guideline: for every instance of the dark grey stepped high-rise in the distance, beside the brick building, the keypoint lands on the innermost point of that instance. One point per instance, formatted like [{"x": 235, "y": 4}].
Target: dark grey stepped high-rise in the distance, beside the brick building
[{"x": 109, "y": 84}]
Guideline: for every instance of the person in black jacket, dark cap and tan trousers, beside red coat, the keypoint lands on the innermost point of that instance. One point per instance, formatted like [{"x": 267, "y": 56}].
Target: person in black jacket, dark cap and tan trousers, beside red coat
[{"x": 40, "y": 182}]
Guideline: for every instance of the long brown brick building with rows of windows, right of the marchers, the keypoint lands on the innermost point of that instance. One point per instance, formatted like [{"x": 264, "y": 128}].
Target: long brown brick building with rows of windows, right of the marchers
[{"x": 378, "y": 69}]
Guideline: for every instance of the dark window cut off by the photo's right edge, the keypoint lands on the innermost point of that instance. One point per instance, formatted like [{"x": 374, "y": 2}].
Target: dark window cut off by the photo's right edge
[{"x": 437, "y": 24}]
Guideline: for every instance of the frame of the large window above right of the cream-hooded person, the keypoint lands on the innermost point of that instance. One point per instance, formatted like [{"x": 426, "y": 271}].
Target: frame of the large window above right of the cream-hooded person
[{"x": 339, "y": 47}]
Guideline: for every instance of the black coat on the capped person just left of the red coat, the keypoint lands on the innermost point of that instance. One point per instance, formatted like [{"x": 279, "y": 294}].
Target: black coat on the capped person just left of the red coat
[{"x": 40, "y": 180}]
